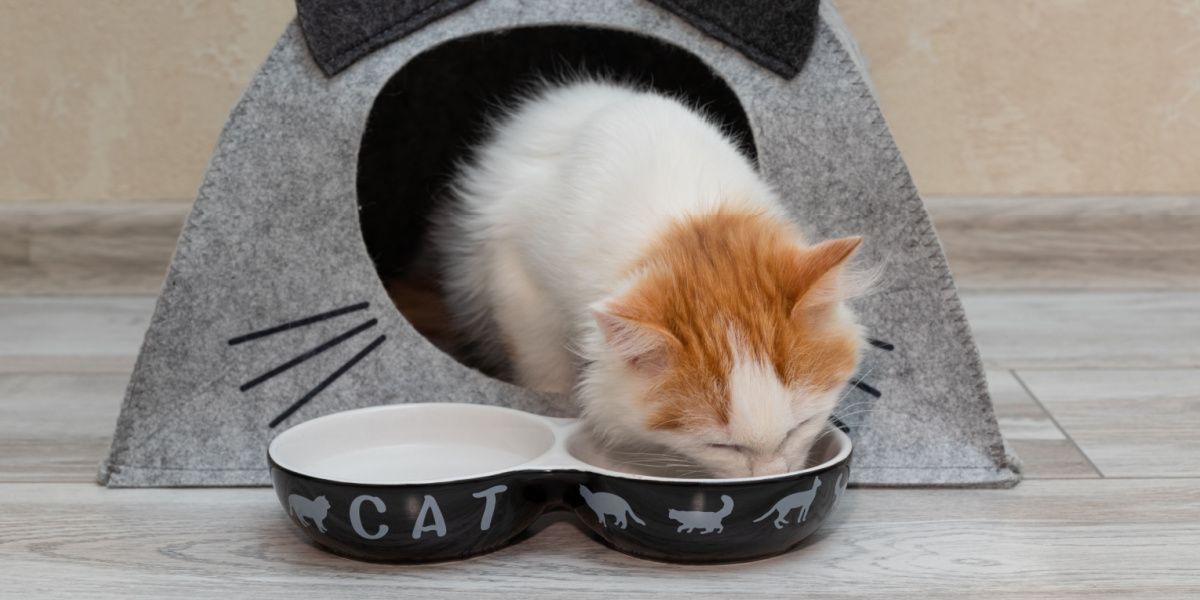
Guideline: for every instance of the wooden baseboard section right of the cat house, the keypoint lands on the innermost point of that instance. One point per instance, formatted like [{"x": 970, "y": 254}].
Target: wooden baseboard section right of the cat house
[{"x": 1071, "y": 243}]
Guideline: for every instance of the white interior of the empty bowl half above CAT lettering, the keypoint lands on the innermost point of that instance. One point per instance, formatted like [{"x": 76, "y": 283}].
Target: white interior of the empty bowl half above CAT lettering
[{"x": 413, "y": 443}]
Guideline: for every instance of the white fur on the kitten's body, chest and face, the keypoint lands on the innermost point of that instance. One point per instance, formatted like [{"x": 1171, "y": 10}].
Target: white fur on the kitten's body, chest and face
[{"x": 569, "y": 191}]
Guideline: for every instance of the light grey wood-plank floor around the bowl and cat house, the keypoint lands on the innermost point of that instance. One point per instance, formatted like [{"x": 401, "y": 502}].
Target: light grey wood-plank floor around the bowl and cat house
[{"x": 1097, "y": 388}]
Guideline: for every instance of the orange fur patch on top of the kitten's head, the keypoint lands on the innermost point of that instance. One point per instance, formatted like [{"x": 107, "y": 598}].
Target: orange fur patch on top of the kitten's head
[{"x": 740, "y": 274}]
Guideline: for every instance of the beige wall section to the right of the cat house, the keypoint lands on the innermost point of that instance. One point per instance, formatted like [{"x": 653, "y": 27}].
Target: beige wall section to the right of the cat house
[{"x": 1039, "y": 97}]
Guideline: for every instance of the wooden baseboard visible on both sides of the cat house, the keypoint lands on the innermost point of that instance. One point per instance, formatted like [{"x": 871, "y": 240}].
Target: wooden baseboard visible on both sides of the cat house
[{"x": 1007, "y": 243}]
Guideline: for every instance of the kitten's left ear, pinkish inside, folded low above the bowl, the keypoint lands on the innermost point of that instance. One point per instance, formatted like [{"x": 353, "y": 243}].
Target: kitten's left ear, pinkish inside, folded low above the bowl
[{"x": 643, "y": 345}]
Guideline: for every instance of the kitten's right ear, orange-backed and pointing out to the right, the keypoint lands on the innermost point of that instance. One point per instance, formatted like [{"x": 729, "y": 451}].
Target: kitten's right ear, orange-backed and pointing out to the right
[{"x": 824, "y": 279}]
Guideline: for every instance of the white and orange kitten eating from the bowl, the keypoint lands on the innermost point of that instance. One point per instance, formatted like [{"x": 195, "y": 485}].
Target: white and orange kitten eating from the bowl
[{"x": 616, "y": 243}]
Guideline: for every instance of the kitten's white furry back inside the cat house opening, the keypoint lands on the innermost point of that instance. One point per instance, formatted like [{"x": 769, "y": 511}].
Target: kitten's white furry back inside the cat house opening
[{"x": 571, "y": 190}]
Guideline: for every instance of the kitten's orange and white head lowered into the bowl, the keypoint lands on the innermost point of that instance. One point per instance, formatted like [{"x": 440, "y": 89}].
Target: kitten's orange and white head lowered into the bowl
[{"x": 730, "y": 345}]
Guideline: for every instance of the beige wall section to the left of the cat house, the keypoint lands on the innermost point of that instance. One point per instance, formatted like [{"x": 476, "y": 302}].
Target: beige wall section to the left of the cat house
[{"x": 118, "y": 100}]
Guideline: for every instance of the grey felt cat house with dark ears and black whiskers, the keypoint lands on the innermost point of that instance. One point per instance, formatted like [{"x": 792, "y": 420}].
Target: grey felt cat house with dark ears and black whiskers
[{"x": 275, "y": 309}]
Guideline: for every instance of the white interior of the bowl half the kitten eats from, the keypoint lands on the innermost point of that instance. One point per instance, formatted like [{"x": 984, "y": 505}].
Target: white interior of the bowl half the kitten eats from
[{"x": 634, "y": 461}]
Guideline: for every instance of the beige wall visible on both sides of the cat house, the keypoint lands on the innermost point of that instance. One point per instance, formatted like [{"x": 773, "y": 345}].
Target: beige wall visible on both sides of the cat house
[{"x": 986, "y": 97}]
